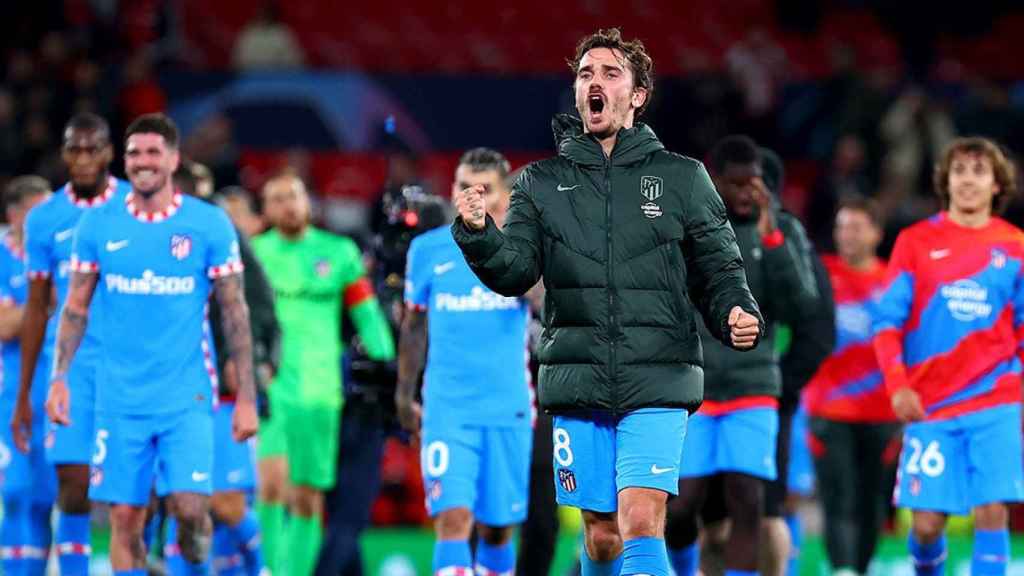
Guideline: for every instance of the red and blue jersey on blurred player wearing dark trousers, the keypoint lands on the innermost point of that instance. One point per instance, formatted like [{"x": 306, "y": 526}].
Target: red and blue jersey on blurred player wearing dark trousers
[{"x": 848, "y": 386}]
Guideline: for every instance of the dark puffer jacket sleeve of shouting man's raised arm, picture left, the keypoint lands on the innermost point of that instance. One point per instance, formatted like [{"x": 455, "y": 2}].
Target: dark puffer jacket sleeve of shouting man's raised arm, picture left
[{"x": 508, "y": 261}]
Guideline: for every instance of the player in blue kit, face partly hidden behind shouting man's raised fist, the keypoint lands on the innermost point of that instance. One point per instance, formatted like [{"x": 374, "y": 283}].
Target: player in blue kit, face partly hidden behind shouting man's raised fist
[{"x": 476, "y": 419}]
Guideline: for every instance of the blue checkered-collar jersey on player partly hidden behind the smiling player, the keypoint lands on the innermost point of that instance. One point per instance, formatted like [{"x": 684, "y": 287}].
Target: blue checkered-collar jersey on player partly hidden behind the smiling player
[{"x": 49, "y": 231}]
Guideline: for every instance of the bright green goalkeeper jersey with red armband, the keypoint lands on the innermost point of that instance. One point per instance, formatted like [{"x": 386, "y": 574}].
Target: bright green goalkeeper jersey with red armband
[{"x": 316, "y": 278}]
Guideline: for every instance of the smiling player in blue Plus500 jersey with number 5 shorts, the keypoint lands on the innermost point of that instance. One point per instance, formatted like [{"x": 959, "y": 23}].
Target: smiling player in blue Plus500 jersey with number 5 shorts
[{"x": 152, "y": 261}]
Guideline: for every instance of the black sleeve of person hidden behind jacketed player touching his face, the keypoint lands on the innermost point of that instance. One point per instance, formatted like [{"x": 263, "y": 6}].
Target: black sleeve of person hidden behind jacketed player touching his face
[{"x": 814, "y": 338}]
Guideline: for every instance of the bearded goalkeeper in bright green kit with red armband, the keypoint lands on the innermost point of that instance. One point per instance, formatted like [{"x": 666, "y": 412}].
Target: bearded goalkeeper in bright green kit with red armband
[{"x": 317, "y": 277}]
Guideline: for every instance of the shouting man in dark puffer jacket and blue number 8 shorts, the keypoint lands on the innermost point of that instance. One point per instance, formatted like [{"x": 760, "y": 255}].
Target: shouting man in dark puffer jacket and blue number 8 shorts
[{"x": 632, "y": 242}]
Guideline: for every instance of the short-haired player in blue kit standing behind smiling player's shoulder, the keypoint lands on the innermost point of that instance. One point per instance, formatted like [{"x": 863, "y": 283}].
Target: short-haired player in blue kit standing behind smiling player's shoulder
[{"x": 49, "y": 228}]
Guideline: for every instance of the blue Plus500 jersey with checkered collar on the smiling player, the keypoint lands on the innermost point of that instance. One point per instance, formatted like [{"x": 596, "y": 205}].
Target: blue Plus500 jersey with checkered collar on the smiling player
[{"x": 156, "y": 272}]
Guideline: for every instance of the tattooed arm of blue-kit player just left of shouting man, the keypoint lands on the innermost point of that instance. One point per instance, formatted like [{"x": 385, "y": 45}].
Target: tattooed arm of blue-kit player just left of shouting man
[{"x": 412, "y": 357}]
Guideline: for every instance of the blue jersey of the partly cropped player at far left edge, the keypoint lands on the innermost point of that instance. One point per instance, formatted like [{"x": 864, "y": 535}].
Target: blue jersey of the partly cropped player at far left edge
[{"x": 14, "y": 293}]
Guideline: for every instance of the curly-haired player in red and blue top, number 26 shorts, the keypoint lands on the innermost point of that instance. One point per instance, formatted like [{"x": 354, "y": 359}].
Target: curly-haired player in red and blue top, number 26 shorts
[{"x": 949, "y": 334}]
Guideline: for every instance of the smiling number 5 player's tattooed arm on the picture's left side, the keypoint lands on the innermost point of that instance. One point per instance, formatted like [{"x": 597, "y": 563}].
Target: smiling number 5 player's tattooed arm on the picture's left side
[{"x": 70, "y": 334}]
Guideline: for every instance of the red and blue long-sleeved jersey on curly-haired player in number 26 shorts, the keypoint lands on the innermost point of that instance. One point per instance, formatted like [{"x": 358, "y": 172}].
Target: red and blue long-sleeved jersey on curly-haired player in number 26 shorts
[{"x": 951, "y": 316}]
